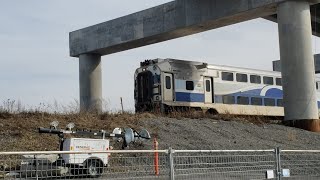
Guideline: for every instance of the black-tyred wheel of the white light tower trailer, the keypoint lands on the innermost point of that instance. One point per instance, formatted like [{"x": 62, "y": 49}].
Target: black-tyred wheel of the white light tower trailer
[{"x": 94, "y": 168}]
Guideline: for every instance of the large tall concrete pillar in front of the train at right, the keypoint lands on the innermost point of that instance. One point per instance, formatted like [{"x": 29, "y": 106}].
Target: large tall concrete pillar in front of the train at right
[{"x": 297, "y": 61}]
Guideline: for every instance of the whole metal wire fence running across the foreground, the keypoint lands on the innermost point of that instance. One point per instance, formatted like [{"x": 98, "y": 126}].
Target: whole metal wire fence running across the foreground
[{"x": 162, "y": 164}]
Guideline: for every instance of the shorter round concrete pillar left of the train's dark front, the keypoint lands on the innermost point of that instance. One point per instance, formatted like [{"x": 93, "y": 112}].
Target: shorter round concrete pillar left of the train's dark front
[{"x": 90, "y": 83}]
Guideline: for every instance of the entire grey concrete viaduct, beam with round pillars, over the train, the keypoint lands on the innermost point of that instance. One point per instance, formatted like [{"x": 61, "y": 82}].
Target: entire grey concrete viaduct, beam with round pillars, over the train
[{"x": 297, "y": 20}]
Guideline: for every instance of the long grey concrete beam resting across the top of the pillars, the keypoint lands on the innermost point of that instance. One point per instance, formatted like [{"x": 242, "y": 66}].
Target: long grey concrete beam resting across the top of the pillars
[{"x": 168, "y": 21}]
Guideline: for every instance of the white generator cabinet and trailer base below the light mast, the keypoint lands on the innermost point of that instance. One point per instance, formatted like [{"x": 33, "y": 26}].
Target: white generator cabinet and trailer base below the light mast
[{"x": 73, "y": 164}]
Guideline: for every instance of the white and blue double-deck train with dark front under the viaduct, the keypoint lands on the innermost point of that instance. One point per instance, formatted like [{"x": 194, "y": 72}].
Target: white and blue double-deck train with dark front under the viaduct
[{"x": 166, "y": 84}]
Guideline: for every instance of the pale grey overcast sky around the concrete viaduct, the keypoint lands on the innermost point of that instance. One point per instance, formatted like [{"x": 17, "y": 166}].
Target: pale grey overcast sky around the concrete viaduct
[{"x": 35, "y": 66}]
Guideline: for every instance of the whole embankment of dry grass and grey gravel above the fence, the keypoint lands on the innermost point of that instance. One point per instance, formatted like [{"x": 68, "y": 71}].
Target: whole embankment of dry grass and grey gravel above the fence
[{"x": 18, "y": 132}]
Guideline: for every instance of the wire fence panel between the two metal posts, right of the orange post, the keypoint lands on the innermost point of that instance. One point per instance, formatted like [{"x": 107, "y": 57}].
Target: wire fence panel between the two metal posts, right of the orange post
[{"x": 223, "y": 164}]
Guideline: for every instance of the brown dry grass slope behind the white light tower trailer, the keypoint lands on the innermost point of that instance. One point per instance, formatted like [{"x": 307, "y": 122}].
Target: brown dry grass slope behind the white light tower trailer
[{"x": 18, "y": 132}]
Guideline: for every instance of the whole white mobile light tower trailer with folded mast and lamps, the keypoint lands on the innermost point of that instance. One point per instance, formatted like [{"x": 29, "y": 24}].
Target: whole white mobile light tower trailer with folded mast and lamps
[{"x": 90, "y": 164}]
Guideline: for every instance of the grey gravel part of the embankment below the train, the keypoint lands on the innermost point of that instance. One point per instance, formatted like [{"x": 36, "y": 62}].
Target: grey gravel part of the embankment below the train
[{"x": 218, "y": 134}]
